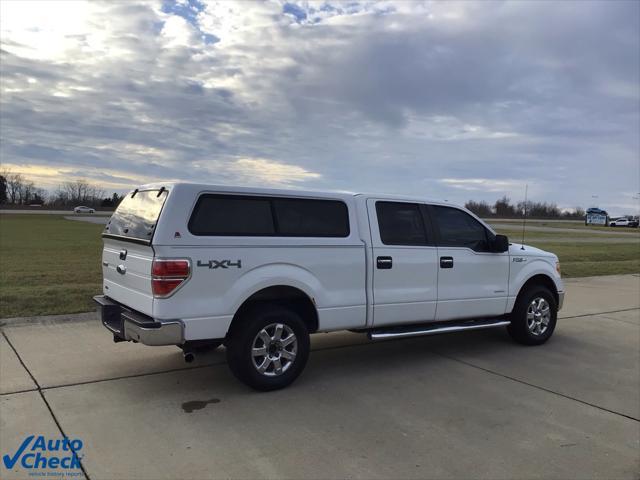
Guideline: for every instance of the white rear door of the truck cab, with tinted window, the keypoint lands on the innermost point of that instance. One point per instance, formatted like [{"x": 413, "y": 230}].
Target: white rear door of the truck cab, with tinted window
[{"x": 404, "y": 263}]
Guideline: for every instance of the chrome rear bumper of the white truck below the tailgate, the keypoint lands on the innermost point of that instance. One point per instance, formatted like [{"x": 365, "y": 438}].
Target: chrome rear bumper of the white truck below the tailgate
[{"x": 127, "y": 325}]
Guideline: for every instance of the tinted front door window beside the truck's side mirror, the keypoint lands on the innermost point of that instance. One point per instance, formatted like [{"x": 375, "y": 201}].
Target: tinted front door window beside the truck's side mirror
[{"x": 459, "y": 229}]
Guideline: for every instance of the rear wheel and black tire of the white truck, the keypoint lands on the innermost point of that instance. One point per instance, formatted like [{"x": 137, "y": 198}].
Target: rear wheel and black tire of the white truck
[{"x": 268, "y": 347}]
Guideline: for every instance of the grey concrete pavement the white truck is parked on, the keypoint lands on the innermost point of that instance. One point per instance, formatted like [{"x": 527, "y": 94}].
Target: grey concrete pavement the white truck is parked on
[{"x": 472, "y": 405}]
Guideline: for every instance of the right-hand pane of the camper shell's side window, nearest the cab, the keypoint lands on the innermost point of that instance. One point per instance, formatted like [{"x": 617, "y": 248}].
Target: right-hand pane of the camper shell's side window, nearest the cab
[{"x": 311, "y": 218}]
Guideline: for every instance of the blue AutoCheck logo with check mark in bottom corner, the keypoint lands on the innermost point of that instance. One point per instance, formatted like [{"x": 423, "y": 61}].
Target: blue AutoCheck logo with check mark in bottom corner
[{"x": 60, "y": 456}]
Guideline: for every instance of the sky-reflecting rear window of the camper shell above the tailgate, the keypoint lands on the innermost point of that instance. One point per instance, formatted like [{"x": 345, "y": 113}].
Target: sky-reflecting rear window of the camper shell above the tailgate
[{"x": 137, "y": 215}]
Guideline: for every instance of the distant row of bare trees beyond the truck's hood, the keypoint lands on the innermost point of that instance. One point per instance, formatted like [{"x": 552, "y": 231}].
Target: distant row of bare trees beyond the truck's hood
[{"x": 505, "y": 209}]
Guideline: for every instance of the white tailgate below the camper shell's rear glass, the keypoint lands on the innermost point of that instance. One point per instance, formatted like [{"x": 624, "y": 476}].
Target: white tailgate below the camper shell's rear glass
[{"x": 126, "y": 269}]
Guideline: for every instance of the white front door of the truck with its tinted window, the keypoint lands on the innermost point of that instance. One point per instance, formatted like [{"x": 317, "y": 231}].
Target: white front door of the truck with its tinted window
[{"x": 472, "y": 281}]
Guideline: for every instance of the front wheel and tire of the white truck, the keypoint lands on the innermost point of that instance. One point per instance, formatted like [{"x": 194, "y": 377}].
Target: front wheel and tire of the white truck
[{"x": 534, "y": 316}]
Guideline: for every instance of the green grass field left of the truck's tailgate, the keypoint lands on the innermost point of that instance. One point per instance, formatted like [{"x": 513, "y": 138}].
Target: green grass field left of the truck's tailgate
[{"x": 48, "y": 265}]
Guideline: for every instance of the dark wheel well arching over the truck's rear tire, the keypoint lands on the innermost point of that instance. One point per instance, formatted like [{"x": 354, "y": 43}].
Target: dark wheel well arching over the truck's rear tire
[{"x": 285, "y": 296}]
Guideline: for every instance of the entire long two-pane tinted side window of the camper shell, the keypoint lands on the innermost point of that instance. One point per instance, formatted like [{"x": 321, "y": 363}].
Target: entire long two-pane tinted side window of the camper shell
[{"x": 267, "y": 216}]
